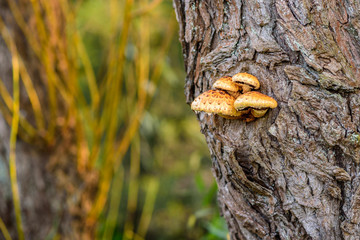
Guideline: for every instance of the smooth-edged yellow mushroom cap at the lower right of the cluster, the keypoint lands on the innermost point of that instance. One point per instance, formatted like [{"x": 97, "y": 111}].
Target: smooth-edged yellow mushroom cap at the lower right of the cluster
[{"x": 254, "y": 100}]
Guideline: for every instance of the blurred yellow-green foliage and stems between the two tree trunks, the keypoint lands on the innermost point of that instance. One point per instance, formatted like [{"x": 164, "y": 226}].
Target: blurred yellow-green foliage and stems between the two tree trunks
[{"x": 155, "y": 179}]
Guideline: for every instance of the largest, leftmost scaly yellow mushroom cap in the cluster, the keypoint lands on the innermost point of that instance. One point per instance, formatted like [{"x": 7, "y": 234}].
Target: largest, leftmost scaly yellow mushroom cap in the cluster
[{"x": 215, "y": 101}]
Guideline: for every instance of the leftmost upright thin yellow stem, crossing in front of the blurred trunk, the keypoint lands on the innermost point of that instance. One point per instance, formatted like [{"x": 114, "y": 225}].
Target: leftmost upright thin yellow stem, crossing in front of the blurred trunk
[{"x": 13, "y": 134}]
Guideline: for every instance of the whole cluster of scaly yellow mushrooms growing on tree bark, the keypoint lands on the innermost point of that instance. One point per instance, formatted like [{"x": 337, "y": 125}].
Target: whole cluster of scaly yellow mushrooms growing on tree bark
[{"x": 233, "y": 98}]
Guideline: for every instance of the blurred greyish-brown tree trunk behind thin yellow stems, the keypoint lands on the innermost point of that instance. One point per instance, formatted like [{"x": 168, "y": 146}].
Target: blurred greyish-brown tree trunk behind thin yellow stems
[{"x": 51, "y": 189}]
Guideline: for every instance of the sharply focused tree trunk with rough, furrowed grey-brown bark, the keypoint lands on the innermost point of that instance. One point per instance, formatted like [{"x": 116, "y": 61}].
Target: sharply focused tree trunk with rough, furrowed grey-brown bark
[{"x": 293, "y": 174}]
